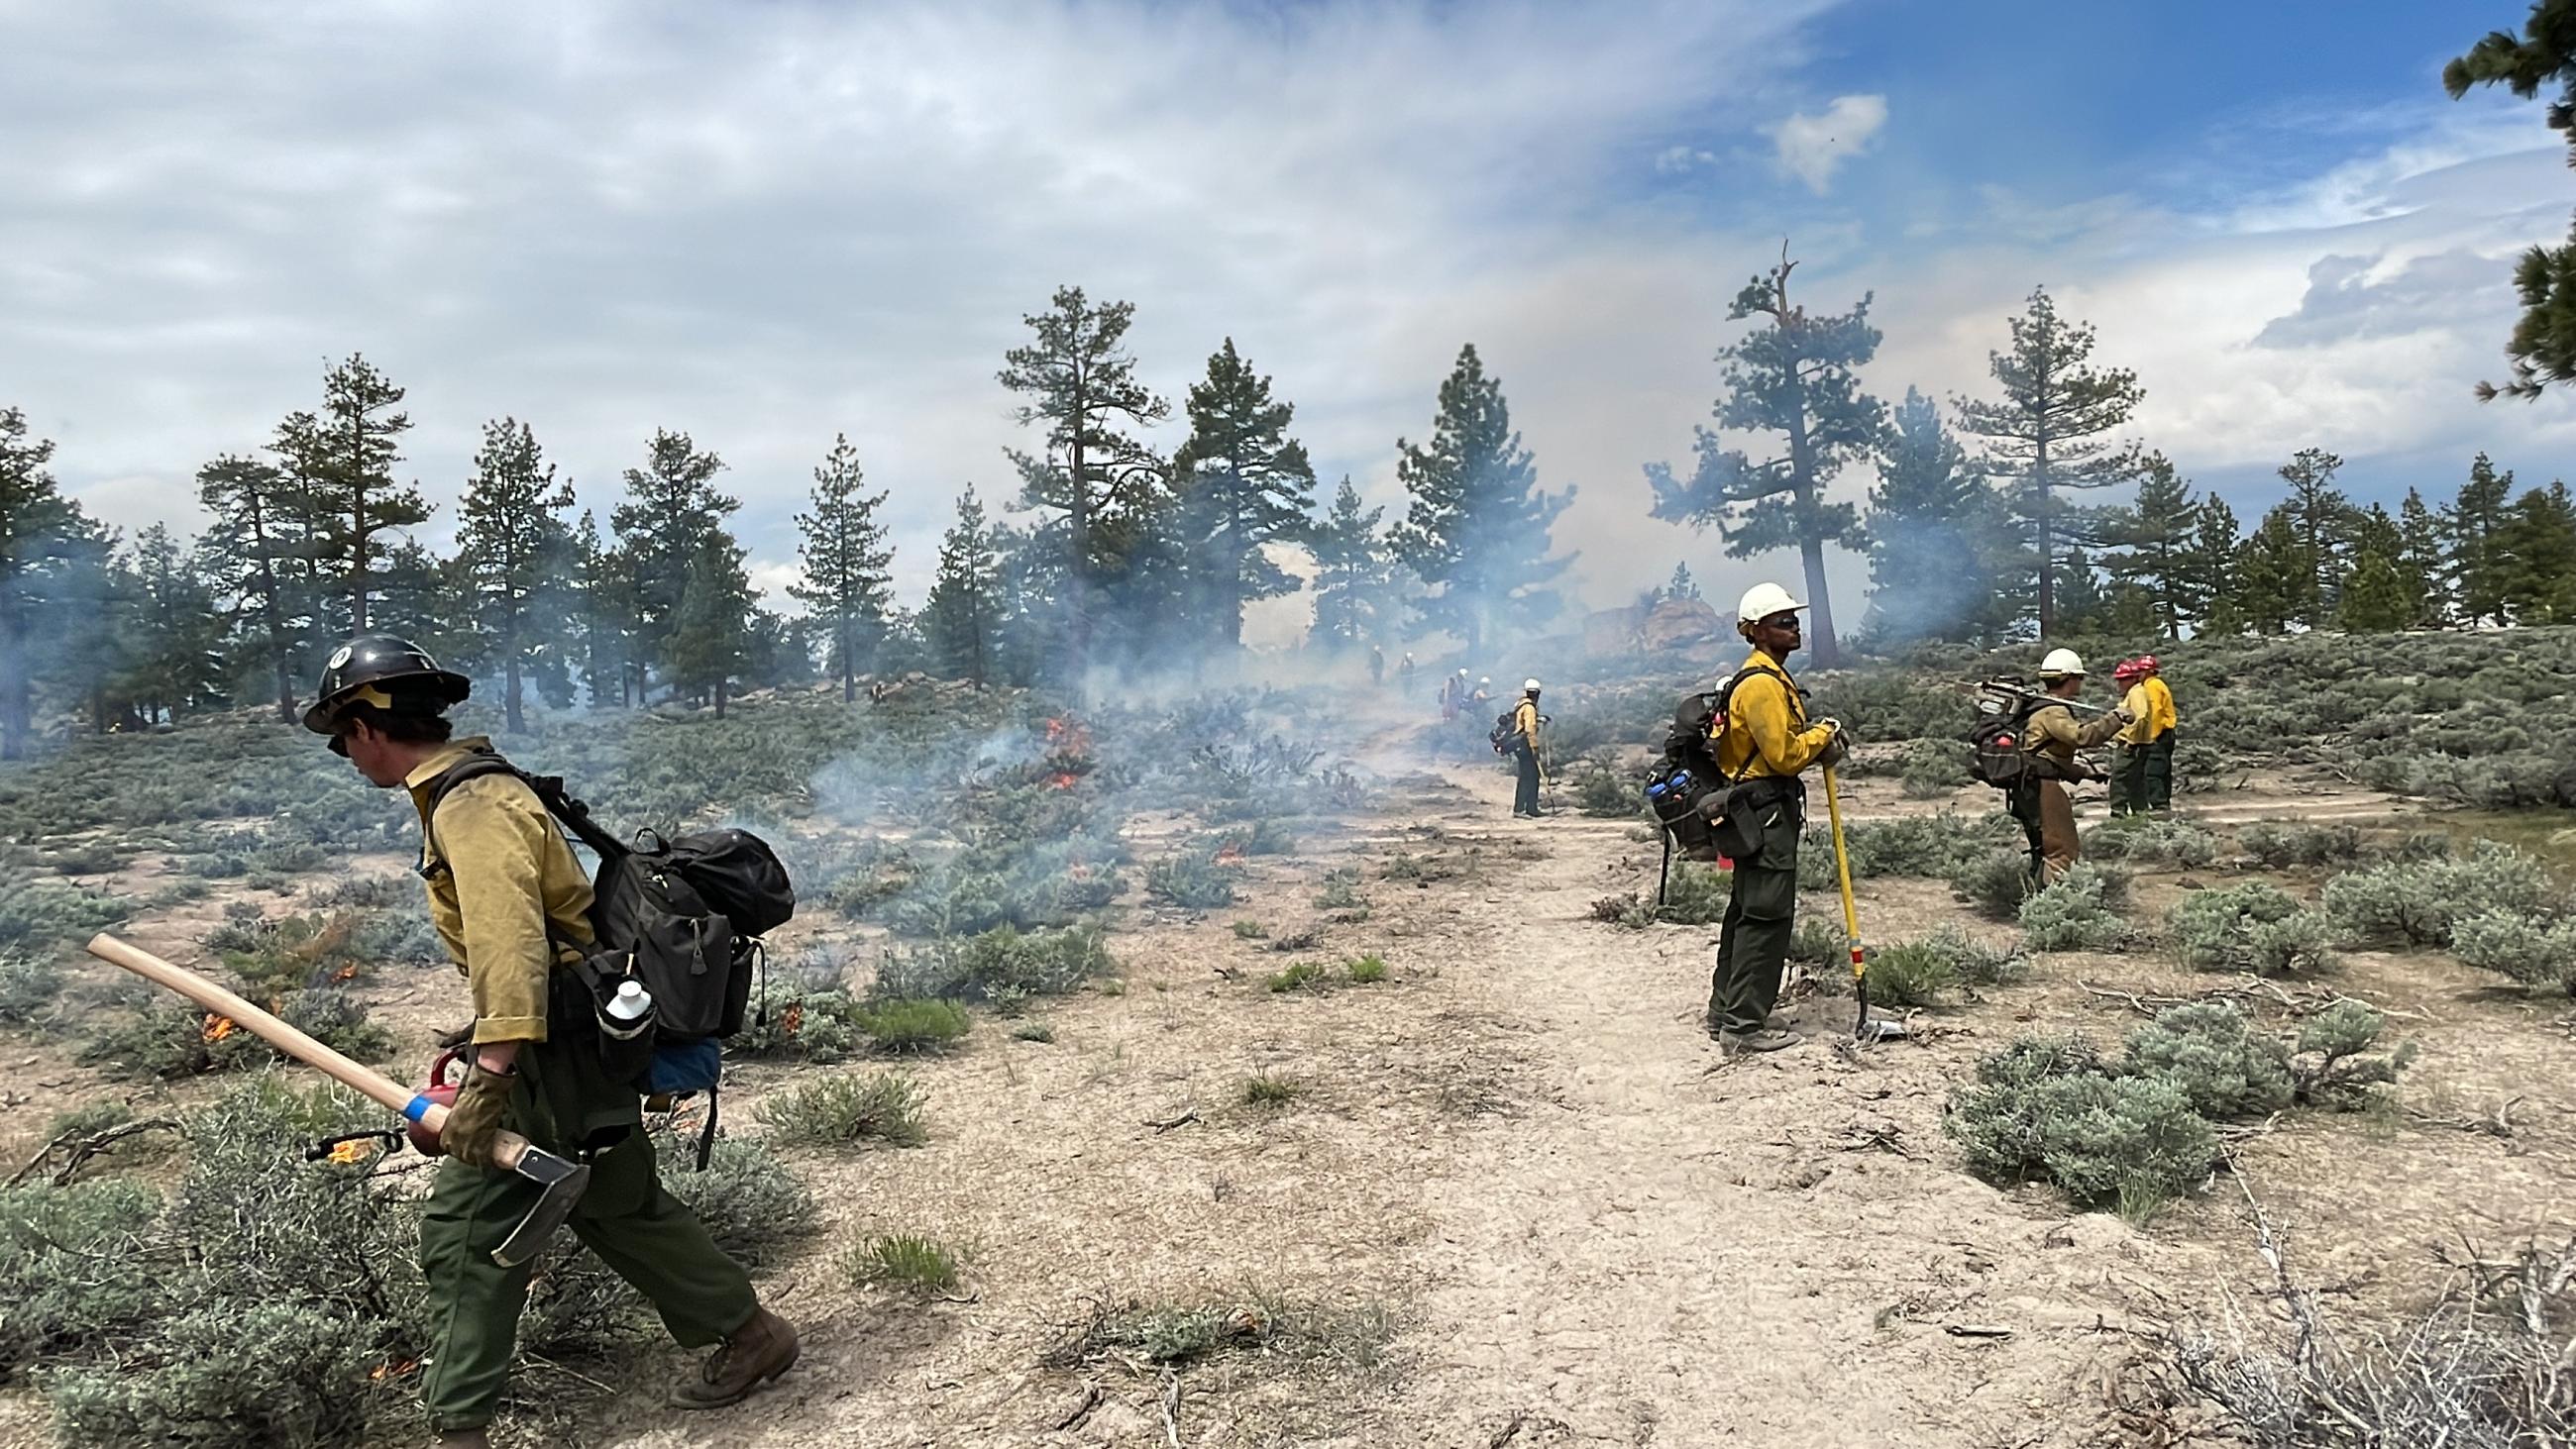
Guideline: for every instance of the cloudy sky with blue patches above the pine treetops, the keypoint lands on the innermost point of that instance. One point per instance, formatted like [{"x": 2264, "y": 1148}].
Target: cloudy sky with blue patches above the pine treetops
[{"x": 777, "y": 223}]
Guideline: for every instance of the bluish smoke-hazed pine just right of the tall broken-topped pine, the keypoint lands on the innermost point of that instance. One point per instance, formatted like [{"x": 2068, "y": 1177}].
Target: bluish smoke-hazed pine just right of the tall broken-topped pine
[{"x": 1944, "y": 560}]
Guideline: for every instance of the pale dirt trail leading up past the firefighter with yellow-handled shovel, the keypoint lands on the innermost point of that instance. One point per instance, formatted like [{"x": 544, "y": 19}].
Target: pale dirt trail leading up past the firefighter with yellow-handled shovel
[{"x": 1686, "y": 1252}]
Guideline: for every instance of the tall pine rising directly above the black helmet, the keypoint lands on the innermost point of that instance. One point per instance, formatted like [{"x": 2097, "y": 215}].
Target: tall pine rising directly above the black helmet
[{"x": 344, "y": 459}]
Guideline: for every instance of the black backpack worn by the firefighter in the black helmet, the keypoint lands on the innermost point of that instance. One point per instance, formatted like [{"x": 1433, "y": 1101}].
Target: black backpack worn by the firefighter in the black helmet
[{"x": 684, "y": 918}]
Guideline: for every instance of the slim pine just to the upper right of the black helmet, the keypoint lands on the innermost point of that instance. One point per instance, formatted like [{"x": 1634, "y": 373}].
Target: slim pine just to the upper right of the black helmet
[{"x": 514, "y": 557}]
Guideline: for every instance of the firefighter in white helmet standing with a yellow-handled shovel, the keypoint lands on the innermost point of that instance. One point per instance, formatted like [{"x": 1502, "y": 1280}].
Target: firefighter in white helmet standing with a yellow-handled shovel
[{"x": 1763, "y": 745}]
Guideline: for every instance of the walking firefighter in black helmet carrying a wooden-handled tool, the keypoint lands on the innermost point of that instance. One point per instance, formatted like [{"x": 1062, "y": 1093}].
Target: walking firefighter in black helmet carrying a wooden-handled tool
[{"x": 511, "y": 907}]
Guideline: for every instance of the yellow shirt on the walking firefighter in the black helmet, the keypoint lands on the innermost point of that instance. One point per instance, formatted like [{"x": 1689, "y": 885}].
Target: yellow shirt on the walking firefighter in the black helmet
[{"x": 498, "y": 874}]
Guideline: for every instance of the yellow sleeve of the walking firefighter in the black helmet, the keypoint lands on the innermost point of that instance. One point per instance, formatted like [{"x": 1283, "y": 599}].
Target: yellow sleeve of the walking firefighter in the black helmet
[{"x": 493, "y": 835}]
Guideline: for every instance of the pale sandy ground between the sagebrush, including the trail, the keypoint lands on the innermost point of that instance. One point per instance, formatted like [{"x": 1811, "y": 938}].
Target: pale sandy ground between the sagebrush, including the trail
[{"x": 1524, "y": 1201}]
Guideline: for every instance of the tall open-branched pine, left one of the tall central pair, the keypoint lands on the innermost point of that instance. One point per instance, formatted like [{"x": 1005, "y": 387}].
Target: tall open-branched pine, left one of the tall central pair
[{"x": 1081, "y": 387}]
